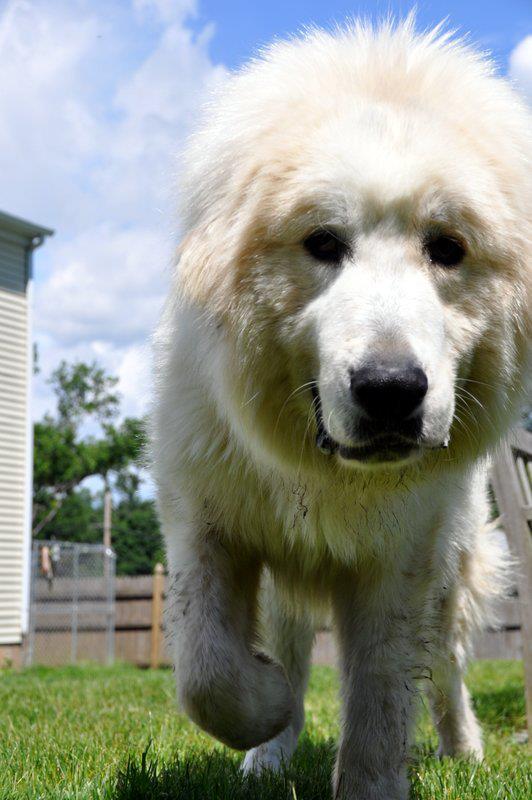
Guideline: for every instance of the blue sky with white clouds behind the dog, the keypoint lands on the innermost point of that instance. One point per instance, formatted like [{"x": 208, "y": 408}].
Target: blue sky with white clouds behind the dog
[{"x": 97, "y": 99}]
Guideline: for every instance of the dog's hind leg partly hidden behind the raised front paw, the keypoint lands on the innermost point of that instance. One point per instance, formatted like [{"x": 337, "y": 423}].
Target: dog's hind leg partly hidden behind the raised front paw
[{"x": 289, "y": 639}]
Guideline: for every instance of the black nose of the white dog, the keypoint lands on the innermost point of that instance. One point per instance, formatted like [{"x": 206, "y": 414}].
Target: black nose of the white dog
[{"x": 389, "y": 392}]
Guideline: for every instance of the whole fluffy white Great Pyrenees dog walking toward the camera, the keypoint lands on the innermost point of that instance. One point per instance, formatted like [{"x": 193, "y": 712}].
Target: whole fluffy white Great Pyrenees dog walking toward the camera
[{"x": 343, "y": 346}]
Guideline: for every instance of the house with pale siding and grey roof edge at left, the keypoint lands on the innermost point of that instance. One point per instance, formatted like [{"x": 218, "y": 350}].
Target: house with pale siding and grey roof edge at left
[{"x": 18, "y": 240}]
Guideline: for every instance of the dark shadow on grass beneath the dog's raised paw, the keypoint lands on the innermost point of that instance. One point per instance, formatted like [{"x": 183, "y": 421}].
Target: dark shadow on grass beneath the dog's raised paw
[{"x": 217, "y": 775}]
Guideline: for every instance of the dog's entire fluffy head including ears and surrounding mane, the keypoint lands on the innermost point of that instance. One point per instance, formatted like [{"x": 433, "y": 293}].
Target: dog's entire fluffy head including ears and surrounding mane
[{"x": 359, "y": 236}]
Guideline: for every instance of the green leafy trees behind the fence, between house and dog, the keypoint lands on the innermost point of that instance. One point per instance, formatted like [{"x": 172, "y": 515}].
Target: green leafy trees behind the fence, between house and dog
[{"x": 65, "y": 454}]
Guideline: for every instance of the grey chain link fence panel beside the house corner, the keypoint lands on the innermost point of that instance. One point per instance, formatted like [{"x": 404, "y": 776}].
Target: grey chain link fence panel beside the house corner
[{"x": 72, "y": 603}]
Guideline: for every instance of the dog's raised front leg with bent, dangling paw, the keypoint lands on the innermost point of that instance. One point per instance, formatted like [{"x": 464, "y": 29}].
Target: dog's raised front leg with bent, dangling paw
[{"x": 240, "y": 698}]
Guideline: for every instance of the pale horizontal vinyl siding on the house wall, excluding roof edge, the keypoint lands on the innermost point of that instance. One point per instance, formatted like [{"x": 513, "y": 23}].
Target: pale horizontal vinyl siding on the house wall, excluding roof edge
[{"x": 13, "y": 436}]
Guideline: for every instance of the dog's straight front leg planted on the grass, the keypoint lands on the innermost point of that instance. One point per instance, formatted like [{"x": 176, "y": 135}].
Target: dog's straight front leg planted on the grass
[{"x": 377, "y": 658}]
